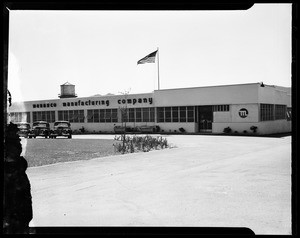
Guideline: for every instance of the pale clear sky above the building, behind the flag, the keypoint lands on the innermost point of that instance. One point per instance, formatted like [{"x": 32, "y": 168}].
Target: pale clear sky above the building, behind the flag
[{"x": 97, "y": 51}]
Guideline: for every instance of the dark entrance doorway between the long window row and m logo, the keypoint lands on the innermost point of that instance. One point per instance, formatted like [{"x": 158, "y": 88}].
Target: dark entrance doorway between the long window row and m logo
[{"x": 205, "y": 115}]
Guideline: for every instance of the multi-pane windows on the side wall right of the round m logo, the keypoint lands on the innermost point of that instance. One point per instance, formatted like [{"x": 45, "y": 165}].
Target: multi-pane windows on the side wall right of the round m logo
[{"x": 269, "y": 112}]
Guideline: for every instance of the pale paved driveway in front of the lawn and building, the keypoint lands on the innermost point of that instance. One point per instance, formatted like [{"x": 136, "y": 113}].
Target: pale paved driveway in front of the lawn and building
[{"x": 205, "y": 181}]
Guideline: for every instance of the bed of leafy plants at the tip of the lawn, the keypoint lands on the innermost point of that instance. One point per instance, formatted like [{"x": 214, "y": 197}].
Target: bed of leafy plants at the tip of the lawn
[{"x": 127, "y": 144}]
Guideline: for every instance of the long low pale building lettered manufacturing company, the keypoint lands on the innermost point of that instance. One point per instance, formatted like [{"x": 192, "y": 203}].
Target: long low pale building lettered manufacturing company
[{"x": 264, "y": 108}]
